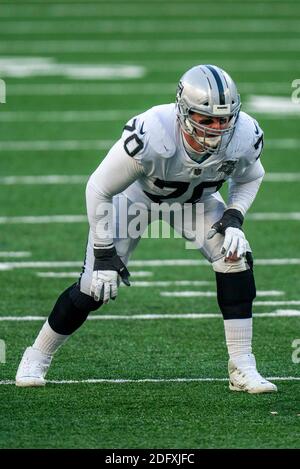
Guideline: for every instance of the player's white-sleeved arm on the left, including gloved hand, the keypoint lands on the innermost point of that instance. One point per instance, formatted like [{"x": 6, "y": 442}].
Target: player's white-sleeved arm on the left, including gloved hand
[{"x": 116, "y": 172}]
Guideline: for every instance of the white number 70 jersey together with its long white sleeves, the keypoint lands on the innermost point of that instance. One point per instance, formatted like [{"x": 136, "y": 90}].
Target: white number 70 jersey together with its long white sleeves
[{"x": 150, "y": 165}]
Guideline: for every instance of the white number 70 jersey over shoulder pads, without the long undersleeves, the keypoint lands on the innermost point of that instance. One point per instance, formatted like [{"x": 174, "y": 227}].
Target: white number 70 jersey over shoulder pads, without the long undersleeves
[{"x": 154, "y": 140}]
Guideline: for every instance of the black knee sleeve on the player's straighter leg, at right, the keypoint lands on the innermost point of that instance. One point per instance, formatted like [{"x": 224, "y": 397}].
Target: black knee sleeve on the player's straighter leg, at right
[{"x": 236, "y": 293}]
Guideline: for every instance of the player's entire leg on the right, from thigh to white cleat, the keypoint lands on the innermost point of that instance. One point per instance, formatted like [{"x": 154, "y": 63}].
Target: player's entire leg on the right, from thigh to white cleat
[{"x": 235, "y": 292}]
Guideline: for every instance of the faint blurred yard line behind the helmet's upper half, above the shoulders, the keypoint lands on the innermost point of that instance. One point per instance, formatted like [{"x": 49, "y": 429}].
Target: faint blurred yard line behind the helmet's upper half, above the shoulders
[{"x": 160, "y": 89}]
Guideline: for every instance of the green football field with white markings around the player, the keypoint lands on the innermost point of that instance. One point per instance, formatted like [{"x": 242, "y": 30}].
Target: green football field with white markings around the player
[{"x": 150, "y": 369}]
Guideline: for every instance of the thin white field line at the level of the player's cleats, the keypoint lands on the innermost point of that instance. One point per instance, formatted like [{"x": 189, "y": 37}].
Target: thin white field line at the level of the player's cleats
[{"x": 147, "y": 380}]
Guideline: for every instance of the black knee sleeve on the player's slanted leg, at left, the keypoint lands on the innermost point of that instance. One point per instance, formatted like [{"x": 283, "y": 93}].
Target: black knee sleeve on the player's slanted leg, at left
[{"x": 71, "y": 310}]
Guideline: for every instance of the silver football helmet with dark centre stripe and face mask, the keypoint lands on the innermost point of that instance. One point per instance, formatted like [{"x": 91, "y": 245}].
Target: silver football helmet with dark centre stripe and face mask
[{"x": 208, "y": 90}]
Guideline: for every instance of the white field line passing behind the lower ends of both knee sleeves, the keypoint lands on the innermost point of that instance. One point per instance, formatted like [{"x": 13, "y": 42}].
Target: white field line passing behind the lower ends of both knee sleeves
[{"x": 279, "y": 313}]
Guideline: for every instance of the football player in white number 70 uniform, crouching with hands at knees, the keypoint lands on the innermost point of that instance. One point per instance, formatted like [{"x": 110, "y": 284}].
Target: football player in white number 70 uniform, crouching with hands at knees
[{"x": 180, "y": 152}]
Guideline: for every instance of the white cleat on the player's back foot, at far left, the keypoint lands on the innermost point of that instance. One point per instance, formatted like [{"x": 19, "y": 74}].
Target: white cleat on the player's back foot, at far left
[{"x": 33, "y": 368}]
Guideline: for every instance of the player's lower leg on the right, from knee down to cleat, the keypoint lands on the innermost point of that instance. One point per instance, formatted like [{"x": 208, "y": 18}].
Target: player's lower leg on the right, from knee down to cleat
[{"x": 236, "y": 292}]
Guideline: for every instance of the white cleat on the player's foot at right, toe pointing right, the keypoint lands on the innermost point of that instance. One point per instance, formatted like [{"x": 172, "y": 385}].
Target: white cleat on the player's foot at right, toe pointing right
[{"x": 243, "y": 376}]
